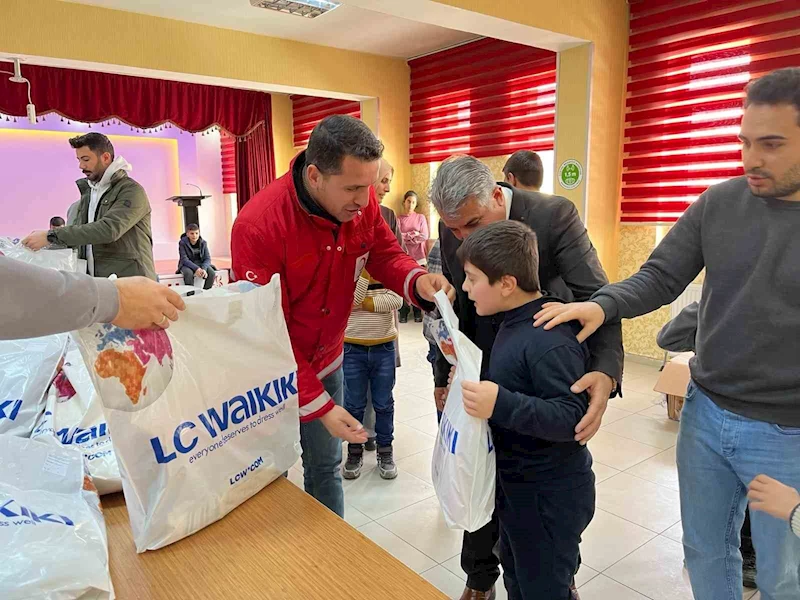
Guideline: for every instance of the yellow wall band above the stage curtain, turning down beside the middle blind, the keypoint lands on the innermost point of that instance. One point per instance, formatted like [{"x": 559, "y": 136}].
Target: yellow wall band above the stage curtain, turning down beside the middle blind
[{"x": 49, "y": 28}]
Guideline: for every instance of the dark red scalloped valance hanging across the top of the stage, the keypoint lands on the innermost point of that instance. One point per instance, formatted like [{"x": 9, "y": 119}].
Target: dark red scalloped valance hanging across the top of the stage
[{"x": 93, "y": 97}]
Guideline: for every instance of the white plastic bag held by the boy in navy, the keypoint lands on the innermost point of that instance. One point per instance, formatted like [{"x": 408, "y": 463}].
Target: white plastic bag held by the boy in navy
[{"x": 463, "y": 466}]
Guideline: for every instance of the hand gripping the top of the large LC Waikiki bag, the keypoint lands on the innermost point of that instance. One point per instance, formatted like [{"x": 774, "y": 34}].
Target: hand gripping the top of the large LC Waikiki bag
[{"x": 145, "y": 304}]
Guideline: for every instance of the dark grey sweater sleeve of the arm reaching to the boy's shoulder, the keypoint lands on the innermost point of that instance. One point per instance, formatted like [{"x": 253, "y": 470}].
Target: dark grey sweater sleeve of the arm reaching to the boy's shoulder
[{"x": 672, "y": 266}]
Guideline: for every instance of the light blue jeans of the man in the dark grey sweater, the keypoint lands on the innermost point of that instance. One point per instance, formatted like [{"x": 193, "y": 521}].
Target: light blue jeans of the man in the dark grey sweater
[{"x": 719, "y": 454}]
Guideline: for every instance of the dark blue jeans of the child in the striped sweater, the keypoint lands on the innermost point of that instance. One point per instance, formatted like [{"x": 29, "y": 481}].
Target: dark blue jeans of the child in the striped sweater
[{"x": 371, "y": 367}]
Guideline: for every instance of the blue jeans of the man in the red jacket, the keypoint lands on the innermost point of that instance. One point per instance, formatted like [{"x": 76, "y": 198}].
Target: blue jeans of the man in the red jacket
[{"x": 322, "y": 454}]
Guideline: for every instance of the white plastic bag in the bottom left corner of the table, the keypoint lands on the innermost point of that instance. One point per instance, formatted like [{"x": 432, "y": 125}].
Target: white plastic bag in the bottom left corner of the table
[{"x": 51, "y": 527}]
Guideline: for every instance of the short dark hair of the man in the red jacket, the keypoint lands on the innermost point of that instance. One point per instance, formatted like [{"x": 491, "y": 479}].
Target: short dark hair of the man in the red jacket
[{"x": 338, "y": 136}]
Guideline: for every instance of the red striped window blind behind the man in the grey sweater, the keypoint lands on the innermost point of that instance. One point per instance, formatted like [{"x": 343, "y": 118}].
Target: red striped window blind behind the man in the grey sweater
[{"x": 689, "y": 63}]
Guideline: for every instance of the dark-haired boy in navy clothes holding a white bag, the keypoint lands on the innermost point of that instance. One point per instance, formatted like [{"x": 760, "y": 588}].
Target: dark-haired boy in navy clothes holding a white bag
[{"x": 545, "y": 486}]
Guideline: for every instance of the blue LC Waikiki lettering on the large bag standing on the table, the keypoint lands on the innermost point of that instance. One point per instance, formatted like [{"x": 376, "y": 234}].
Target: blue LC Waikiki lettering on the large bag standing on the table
[{"x": 217, "y": 421}]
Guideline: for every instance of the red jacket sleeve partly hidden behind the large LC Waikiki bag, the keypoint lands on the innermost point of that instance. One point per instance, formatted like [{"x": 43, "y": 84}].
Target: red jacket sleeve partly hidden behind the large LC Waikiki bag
[{"x": 248, "y": 254}]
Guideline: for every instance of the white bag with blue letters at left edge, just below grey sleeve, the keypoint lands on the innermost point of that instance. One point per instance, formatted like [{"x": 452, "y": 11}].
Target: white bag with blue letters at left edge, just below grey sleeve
[{"x": 26, "y": 369}]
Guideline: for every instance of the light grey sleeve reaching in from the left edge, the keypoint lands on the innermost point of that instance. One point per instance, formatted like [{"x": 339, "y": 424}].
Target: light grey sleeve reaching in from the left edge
[{"x": 36, "y": 301}]
